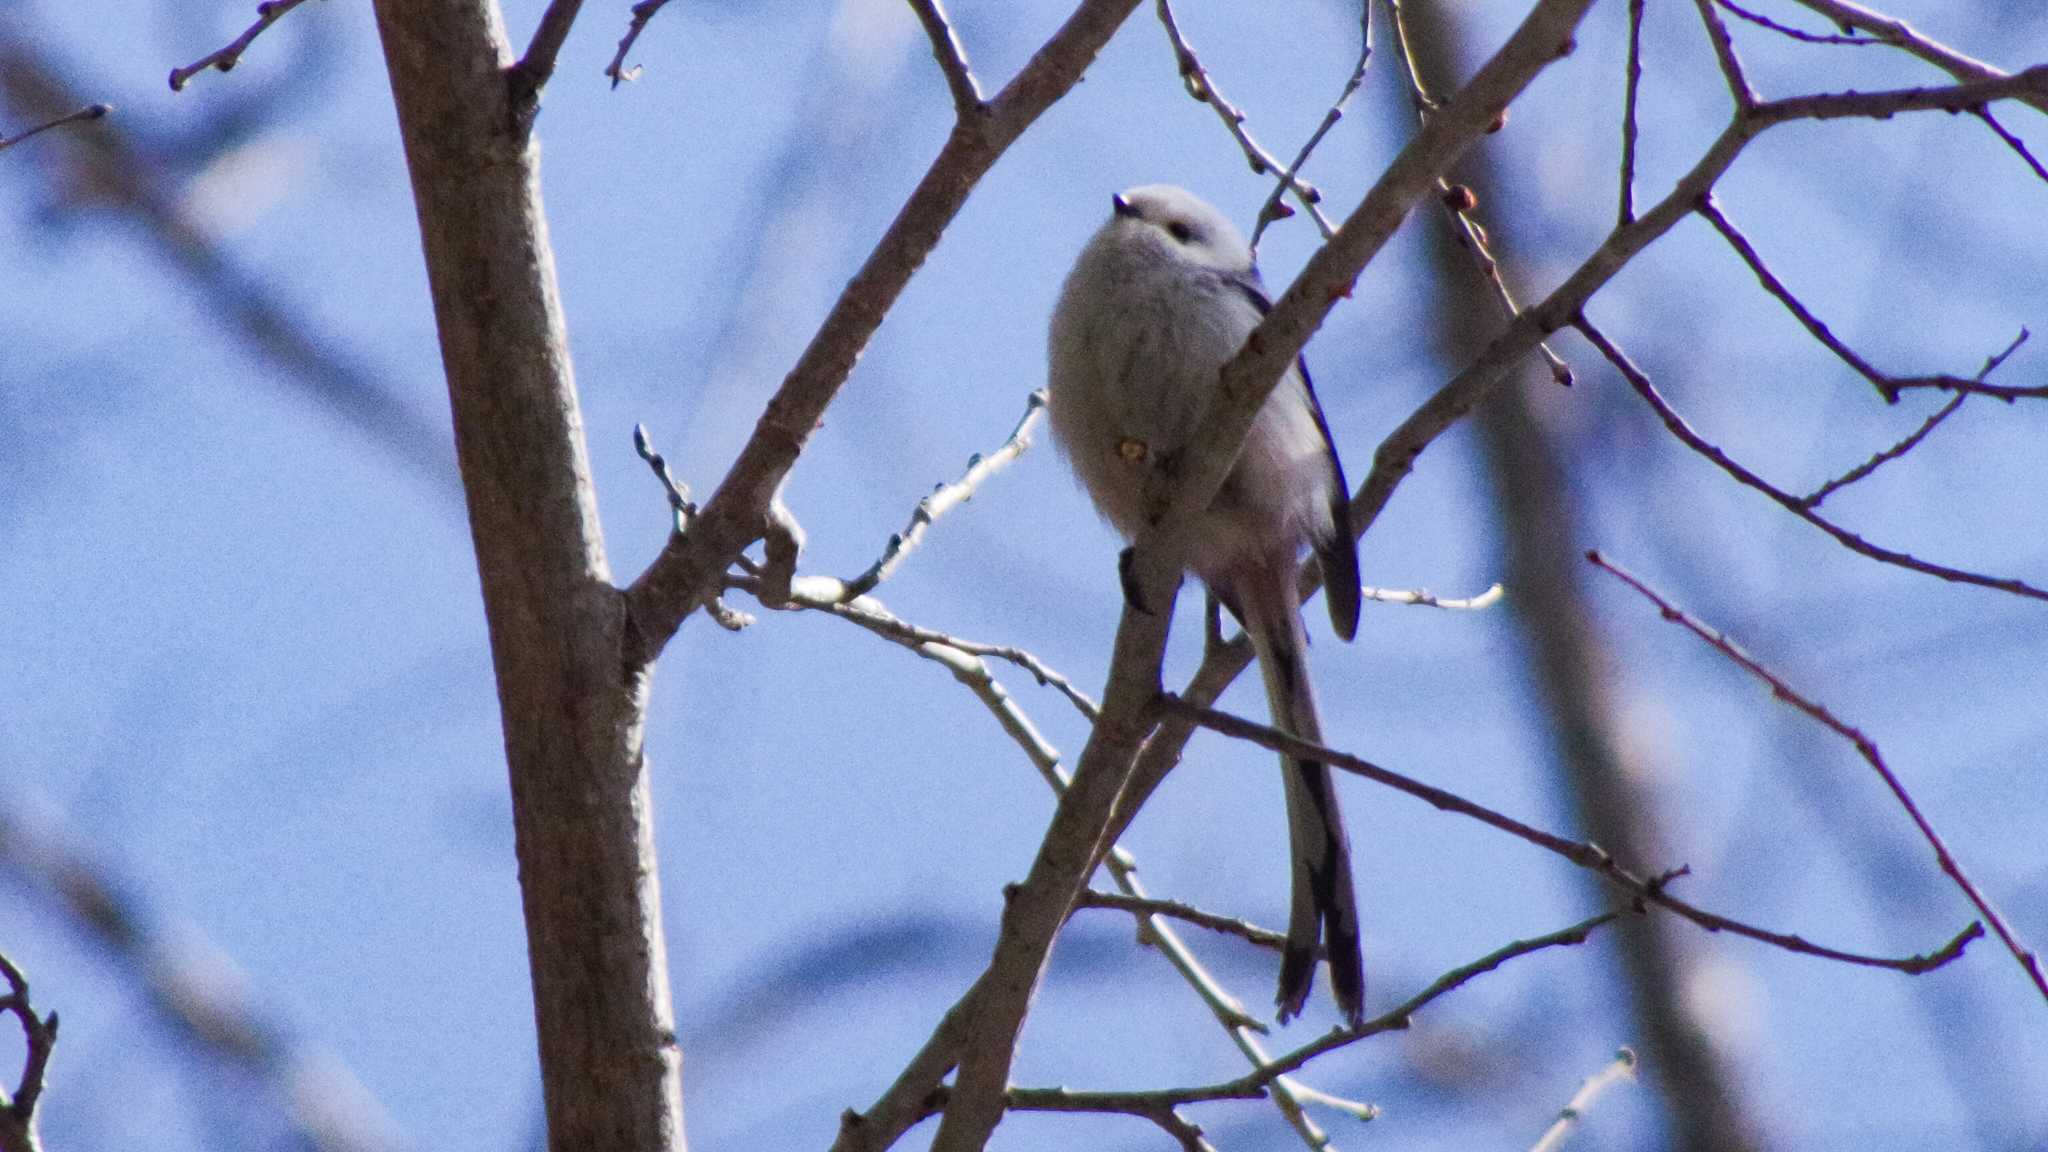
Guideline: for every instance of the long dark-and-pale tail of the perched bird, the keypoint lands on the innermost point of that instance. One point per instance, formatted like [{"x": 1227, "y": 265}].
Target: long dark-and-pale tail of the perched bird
[{"x": 1324, "y": 905}]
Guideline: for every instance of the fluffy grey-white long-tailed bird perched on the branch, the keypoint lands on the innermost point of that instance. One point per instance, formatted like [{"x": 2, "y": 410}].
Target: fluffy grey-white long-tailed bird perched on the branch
[{"x": 1160, "y": 300}]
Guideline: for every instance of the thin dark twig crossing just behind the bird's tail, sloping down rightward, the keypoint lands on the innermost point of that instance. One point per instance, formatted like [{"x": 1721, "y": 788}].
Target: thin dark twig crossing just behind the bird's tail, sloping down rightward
[{"x": 1590, "y": 858}]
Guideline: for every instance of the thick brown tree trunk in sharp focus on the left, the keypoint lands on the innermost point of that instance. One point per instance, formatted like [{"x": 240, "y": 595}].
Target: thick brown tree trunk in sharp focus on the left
[{"x": 572, "y": 704}]
